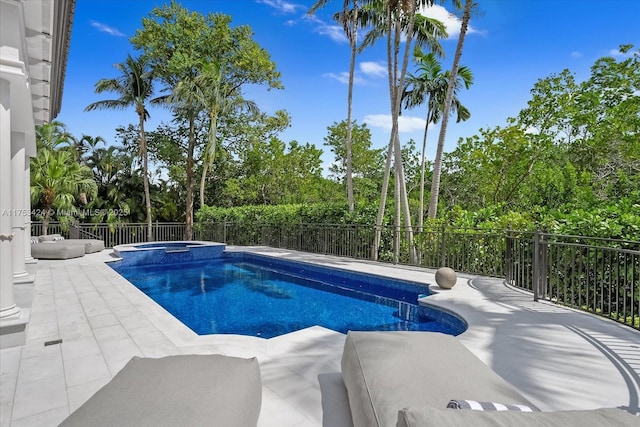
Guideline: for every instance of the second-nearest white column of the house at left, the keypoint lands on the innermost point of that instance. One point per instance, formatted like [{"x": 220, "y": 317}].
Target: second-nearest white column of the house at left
[{"x": 18, "y": 213}]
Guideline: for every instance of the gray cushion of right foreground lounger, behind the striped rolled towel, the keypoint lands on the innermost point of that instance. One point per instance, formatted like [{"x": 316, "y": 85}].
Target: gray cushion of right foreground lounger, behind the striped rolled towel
[{"x": 387, "y": 371}]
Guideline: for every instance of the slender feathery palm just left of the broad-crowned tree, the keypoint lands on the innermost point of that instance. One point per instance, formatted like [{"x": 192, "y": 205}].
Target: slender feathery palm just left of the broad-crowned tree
[{"x": 135, "y": 87}]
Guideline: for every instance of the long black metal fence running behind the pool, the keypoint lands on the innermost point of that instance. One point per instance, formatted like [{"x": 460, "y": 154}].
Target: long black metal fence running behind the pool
[{"x": 601, "y": 276}]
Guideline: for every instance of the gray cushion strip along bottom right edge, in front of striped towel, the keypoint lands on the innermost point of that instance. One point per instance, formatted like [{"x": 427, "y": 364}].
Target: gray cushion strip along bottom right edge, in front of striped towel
[{"x": 426, "y": 416}]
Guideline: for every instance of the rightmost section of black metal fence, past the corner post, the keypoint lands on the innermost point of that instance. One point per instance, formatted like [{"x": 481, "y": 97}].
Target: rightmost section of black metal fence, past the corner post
[{"x": 600, "y": 276}]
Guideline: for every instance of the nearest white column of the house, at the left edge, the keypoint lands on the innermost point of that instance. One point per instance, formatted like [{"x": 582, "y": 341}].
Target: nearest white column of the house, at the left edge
[{"x": 7, "y": 302}]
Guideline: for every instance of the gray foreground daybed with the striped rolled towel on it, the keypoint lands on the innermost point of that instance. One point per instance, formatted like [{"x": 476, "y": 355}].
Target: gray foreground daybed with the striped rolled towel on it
[{"x": 407, "y": 379}]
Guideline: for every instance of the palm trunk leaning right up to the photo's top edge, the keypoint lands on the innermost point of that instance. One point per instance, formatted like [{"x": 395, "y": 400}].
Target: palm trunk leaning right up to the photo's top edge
[{"x": 437, "y": 166}]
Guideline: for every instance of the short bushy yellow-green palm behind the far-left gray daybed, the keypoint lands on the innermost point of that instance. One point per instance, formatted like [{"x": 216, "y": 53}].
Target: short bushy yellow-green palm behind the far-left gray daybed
[{"x": 57, "y": 180}]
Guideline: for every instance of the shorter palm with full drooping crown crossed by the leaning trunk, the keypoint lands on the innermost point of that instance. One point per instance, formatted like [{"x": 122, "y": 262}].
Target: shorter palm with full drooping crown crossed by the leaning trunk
[{"x": 430, "y": 86}]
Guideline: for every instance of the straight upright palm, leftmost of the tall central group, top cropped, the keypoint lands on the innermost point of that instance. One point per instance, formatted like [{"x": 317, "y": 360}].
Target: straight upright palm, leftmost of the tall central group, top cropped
[{"x": 349, "y": 20}]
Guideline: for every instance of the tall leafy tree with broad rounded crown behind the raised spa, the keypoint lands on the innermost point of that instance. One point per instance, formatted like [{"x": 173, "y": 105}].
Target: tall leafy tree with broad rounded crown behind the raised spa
[{"x": 178, "y": 43}]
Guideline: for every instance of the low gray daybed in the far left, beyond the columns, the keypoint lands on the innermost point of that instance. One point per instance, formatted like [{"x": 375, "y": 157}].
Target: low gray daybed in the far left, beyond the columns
[{"x": 54, "y": 246}]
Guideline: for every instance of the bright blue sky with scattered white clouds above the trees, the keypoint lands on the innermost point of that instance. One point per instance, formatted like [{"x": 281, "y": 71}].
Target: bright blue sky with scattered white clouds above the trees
[{"x": 511, "y": 45}]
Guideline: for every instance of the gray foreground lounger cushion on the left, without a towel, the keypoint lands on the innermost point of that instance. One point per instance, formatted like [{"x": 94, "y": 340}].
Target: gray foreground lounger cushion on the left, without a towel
[{"x": 187, "y": 390}]
